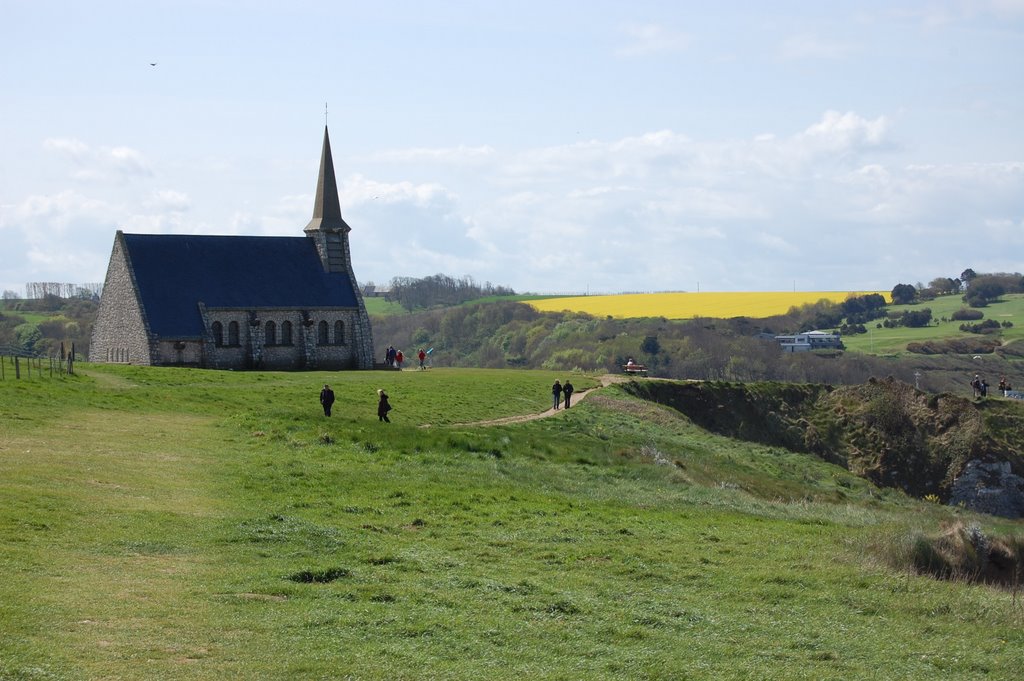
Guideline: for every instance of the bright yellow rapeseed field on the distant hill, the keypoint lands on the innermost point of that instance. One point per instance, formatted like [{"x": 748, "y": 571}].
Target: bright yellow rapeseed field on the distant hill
[{"x": 689, "y": 306}]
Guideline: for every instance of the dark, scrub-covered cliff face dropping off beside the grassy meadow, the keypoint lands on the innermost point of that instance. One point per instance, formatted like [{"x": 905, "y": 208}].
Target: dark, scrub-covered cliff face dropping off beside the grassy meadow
[{"x": 886, "y": 432}]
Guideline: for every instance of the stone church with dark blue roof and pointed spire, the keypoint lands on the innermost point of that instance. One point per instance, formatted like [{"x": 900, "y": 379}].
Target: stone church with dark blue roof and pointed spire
[{"x": 238, "y": 303}]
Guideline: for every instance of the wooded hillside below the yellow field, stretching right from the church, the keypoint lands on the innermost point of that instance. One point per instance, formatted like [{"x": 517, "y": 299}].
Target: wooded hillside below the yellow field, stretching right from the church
[{"x": 515, "y": 335}]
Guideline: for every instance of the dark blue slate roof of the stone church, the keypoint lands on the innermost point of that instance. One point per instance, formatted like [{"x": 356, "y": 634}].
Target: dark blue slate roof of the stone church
[{"x": 176, "y": 273}]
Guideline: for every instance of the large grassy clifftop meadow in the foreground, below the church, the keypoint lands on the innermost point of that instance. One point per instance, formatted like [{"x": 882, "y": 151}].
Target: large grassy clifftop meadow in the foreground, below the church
[{"x": 166, "y": 524}]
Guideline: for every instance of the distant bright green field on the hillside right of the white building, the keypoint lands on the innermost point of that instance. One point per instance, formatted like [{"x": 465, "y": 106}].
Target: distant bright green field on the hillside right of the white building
[{"x": 893, "y": 342}]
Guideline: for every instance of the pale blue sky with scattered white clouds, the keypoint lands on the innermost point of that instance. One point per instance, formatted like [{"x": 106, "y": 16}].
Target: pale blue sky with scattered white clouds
[{"x": 549, "y": 147}]
